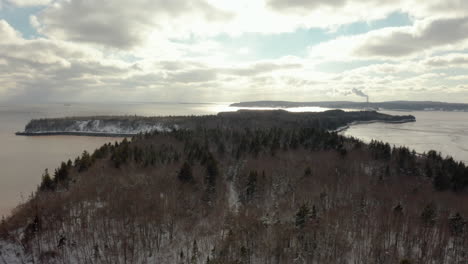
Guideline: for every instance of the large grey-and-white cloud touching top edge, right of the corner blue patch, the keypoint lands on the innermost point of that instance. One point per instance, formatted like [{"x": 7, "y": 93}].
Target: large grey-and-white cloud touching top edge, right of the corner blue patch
[{"x": 124, "y": 24}]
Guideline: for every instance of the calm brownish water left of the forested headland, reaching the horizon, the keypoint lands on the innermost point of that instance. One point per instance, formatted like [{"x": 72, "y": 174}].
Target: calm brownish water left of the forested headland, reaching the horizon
[{"x": 23, "y": 159}]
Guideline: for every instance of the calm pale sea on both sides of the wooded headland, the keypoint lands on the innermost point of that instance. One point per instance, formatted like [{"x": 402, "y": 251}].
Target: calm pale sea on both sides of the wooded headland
[{"x": 23, "y": 159}]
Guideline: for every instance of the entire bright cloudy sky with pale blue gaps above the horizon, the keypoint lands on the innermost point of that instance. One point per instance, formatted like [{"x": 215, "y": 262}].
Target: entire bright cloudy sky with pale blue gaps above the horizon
[{"x": 230, "y": 51}]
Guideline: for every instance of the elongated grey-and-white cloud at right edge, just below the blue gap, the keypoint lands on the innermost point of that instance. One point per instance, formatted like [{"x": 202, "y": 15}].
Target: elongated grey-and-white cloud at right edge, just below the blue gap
[{"x": 395, "y": 42}]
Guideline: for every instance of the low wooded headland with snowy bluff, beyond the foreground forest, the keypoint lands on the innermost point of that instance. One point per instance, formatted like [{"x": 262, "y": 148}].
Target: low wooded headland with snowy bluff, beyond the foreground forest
[{"x": 123, "y": 126}]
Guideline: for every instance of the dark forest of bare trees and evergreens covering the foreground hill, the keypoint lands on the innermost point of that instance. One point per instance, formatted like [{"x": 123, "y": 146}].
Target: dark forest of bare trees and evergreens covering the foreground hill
[{"x": 245, "y": 191}]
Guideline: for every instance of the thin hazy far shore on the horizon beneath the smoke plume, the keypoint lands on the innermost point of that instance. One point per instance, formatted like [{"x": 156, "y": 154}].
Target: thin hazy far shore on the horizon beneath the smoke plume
[{"x": 390, "y": 105}]
